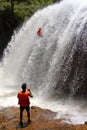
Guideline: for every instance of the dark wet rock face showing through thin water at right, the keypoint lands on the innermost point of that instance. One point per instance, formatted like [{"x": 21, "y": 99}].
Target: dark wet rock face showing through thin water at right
[{"x": 73, "y": 71}]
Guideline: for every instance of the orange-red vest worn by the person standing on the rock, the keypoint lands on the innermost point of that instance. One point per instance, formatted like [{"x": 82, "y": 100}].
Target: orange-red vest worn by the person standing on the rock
[{"x": 23, "y": 98}]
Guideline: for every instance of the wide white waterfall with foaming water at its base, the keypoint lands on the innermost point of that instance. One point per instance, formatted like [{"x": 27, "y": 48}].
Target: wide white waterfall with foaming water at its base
[{"x": 53, "y": 66}]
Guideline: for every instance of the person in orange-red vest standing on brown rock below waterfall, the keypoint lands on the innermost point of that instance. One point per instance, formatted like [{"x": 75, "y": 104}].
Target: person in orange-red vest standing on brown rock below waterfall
[{"x": 24, "y": 102}]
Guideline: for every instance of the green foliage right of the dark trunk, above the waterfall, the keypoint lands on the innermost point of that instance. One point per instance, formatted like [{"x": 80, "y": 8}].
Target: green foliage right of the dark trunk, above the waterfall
[{"x": 26, "y": 8}]
